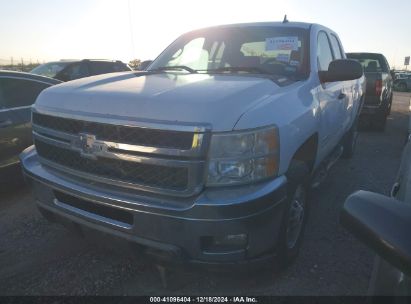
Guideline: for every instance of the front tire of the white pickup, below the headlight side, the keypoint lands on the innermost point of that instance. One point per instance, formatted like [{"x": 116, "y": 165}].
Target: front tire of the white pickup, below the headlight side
[{"x": 295, "y": 216}]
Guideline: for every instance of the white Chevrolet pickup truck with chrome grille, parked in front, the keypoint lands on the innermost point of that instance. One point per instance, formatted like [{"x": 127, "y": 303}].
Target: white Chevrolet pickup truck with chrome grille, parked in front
[{"x": 207, "y": 155}]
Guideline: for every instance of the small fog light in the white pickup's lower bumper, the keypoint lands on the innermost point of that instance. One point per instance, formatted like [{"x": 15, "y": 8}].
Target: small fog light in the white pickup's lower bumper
[{"x": 225, "y": 243}]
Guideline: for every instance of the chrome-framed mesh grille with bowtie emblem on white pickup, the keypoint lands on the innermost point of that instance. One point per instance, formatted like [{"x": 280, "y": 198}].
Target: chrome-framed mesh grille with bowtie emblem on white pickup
[{"x": 162, "y": 161}]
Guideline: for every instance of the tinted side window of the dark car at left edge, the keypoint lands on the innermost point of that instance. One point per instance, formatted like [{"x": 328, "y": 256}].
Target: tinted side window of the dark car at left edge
[{"x": 19, "y": 92}]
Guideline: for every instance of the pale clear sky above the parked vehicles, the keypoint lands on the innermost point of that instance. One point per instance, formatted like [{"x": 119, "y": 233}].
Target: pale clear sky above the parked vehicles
[{"x": 44, "y": 30}]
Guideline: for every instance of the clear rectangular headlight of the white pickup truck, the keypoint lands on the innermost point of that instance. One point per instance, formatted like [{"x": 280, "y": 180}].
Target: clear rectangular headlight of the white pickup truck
[{"x": 243, "y": 157}]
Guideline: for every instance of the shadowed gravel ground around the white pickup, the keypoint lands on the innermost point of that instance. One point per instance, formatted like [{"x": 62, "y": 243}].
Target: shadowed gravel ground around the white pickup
[{"x": 38, "y": 258}]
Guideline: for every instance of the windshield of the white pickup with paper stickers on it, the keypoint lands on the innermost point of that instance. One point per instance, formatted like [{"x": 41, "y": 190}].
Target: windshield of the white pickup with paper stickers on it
[{"x": 253, "y": 49}]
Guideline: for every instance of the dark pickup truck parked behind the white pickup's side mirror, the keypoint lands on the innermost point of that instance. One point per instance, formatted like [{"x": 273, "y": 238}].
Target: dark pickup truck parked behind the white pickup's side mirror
[{"x": 378, "y": 98}]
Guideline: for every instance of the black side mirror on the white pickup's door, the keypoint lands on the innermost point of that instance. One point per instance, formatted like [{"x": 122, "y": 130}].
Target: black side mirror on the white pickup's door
[{"x": 341, "y": 70}]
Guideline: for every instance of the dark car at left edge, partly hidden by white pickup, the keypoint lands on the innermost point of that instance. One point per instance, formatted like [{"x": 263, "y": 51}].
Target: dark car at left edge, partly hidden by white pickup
[{"x": 18, "y": 91}]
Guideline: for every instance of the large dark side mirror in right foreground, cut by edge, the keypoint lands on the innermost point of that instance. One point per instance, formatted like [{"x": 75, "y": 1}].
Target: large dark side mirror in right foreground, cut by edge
[{"x": 383, "y": 224}]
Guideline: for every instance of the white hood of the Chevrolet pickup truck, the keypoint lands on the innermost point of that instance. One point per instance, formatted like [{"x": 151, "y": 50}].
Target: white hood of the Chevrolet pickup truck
[{"x": 217, "y": 100}]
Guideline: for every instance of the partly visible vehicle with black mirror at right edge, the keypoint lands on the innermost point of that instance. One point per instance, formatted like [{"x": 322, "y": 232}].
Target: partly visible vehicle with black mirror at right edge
[{"x": 383, "y": 224}]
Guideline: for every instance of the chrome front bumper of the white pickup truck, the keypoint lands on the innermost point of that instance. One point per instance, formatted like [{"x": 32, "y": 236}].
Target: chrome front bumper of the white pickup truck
[{"x": 191, "y": 232}]
